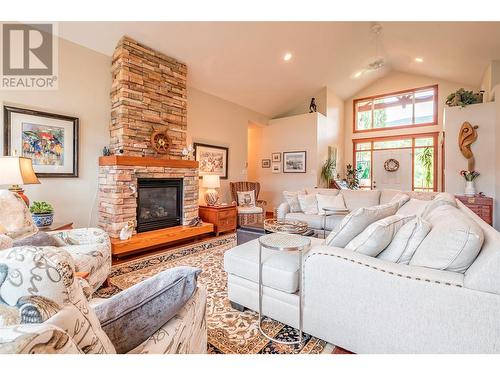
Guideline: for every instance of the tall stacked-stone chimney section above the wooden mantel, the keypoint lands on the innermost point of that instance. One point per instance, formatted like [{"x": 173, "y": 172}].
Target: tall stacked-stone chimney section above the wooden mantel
[{"x": 148, "y": 94}]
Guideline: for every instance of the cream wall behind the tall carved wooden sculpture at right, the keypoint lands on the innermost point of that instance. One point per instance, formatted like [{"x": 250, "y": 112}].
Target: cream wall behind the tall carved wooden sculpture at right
[{"x": 483, "y": 115}]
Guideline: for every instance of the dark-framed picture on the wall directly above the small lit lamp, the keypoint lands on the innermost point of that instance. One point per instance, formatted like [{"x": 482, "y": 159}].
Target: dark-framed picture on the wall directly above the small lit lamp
[{"x": 212, "y": 159}]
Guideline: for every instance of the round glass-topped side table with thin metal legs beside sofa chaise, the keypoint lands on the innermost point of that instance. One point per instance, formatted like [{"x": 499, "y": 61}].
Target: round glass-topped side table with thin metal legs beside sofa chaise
[{"x": 283, "y": 242}]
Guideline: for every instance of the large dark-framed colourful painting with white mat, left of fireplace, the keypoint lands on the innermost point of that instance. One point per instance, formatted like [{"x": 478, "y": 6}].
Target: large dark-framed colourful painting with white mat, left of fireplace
[{"x": 49, "y": 139}]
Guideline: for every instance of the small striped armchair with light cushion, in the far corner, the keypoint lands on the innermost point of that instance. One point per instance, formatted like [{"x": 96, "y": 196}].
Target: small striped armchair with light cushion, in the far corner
[{"x": 248, "y": 213}]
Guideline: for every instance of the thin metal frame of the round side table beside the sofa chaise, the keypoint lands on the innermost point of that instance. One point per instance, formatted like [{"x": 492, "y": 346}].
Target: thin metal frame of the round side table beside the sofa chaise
[{"x": 301, "y": 250}]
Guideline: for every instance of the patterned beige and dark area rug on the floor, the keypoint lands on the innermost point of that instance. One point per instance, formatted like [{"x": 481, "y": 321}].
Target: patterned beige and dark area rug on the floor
[{"x": 229, "y": 331}]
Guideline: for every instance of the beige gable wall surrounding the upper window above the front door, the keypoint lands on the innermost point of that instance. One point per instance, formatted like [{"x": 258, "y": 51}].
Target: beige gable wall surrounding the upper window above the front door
[{"x": 396, "y": 81}]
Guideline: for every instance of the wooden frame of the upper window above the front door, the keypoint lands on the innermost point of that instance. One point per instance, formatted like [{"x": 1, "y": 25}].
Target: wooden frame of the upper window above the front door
[{"x": 380, "y": 96}]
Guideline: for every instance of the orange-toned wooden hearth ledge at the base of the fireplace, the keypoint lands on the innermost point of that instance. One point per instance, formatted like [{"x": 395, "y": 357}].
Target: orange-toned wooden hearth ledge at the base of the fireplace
[{"x": 154, "y": 238}]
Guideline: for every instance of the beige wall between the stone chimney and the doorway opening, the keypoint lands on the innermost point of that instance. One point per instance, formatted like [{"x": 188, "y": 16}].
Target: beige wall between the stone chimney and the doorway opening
[{"x": 215, "y": 121}]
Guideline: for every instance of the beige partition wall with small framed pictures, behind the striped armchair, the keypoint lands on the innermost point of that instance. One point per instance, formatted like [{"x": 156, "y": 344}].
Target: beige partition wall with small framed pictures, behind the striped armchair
[{"x": 295, "y": 133}]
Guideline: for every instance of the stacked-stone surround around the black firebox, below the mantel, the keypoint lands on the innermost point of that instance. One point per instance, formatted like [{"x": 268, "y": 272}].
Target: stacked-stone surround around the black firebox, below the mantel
[{"x": 118, "y": 204}]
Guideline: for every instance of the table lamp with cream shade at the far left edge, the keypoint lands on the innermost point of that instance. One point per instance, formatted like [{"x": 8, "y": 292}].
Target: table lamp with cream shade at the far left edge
[{"x": 16, "y": 171}]
